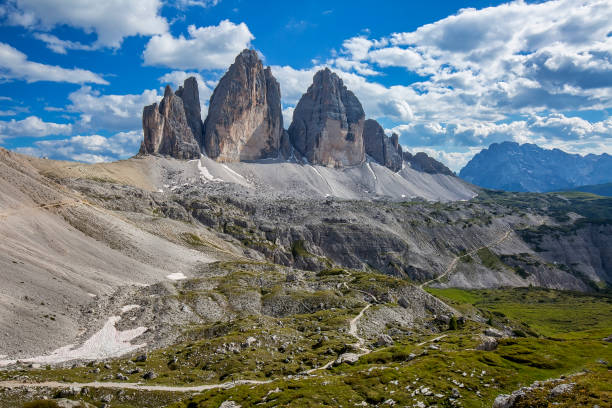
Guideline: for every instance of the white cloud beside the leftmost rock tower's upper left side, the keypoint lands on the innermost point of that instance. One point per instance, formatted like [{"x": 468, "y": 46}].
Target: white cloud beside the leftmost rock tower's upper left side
[{"x": 110, "y": 112}]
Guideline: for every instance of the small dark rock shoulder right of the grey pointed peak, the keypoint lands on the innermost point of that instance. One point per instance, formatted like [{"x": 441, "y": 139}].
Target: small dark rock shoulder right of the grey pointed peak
[{"x": 385, "y": 150}]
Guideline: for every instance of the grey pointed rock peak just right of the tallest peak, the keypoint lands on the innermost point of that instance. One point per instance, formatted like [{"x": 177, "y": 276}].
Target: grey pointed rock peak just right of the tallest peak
[{"x": 327, "y": 126}]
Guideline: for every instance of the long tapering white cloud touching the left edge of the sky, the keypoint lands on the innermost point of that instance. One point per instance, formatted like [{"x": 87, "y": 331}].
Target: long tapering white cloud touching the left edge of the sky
[{"x": 15, "y": 65}]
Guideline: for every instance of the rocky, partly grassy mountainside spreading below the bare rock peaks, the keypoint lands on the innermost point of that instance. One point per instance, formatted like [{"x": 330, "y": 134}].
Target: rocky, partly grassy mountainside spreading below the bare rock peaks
[{"x": 212, "y": 277}]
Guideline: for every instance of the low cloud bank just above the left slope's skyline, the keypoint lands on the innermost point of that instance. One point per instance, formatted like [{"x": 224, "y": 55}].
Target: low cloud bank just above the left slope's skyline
[{"x": 89, "y": 148}]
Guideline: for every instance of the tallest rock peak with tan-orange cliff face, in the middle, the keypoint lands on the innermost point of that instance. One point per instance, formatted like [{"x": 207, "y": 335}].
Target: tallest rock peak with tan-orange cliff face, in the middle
[{"x": 244, "y": 115}]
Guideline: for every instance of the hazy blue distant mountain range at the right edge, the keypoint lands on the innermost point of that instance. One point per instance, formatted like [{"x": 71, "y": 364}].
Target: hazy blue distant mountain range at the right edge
[{"x": 528, "y": 167}]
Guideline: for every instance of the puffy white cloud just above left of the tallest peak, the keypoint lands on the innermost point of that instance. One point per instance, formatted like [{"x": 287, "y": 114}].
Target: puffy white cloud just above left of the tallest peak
[{"x": 212, "y": 47}]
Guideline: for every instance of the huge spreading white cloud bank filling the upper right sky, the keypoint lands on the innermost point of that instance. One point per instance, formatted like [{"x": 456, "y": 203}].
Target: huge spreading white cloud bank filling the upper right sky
[{"x": 488, "y": 64}]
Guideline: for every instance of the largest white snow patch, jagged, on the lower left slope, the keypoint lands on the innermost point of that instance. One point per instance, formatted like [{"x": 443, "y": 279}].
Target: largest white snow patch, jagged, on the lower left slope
[{"x": 107, "y": 343}]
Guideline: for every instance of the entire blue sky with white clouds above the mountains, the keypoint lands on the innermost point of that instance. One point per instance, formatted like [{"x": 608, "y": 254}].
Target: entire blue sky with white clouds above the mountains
[{"x": 449, "y": 77}]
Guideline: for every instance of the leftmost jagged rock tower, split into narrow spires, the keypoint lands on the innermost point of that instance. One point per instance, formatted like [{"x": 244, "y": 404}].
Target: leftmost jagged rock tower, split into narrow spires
[{"x": 166, "y": 129}]
